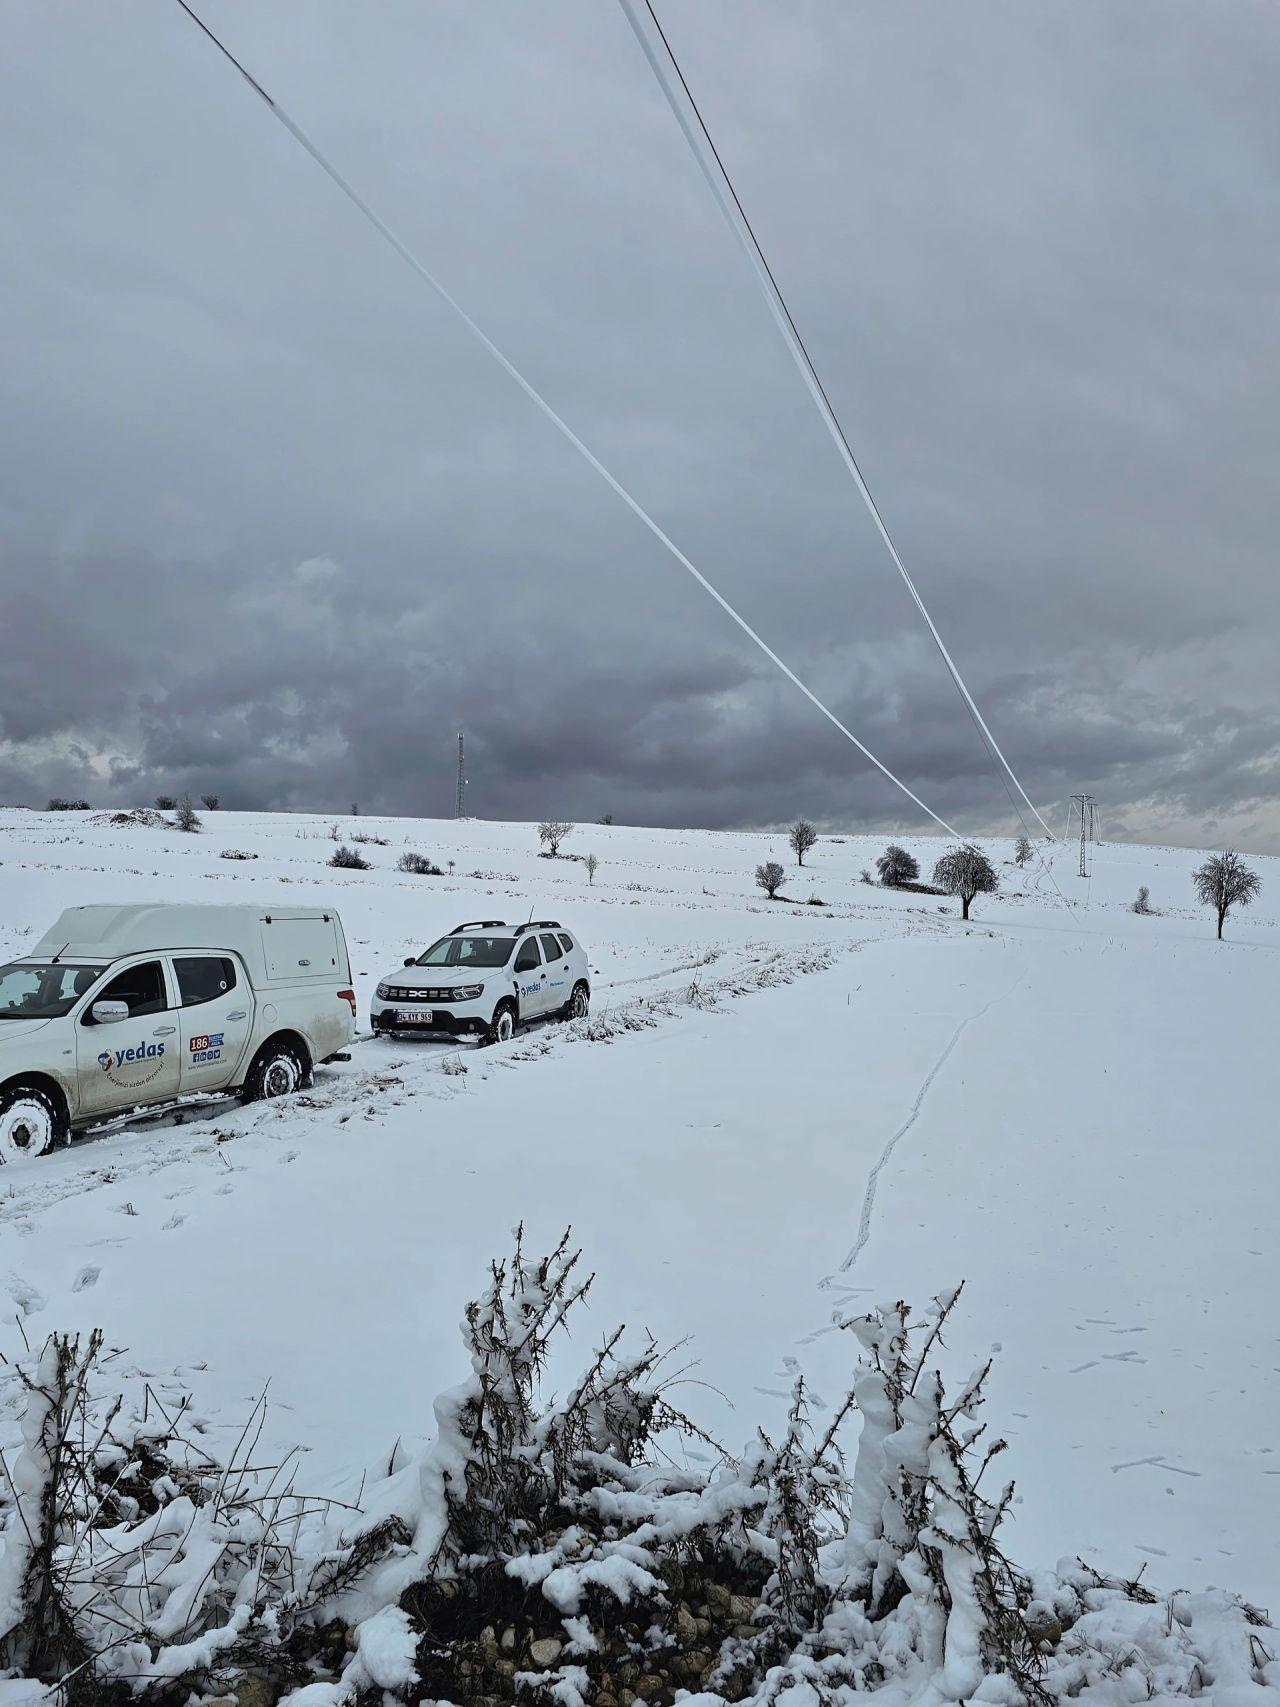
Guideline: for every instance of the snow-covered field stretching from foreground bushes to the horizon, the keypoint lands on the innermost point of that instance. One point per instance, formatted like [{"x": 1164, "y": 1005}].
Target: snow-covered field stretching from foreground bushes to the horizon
[{"x": 1071, "y": 1109}]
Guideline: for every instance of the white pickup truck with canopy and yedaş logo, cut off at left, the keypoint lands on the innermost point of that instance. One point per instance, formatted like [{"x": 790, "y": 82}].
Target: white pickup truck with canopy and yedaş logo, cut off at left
[{"x": 120, "y": 1008}]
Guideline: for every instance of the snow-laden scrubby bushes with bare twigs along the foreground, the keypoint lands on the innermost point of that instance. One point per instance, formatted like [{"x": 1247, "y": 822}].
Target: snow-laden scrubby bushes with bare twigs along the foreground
[{"x": 557, "y": 1551}]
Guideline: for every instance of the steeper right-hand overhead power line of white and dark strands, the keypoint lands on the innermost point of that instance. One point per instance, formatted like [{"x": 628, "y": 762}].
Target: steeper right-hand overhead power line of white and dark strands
[{"x": 723, "y": 189}]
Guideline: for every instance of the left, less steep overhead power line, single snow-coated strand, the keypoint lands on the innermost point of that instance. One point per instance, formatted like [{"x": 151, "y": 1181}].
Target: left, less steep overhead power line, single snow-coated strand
[{"x": 557, "y": 421}]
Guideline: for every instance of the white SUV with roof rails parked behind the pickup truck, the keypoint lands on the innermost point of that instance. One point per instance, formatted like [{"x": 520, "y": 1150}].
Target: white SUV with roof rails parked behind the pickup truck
[{"x": 486, "y": 979}]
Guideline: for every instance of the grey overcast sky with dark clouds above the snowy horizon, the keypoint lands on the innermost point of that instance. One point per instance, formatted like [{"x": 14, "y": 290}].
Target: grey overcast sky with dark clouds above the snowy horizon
[{"x": 274, "y": 527}]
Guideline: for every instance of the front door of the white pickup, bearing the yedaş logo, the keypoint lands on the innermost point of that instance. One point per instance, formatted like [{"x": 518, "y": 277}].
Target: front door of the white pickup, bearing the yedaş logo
[{"x": 134, "y": 1061}]
